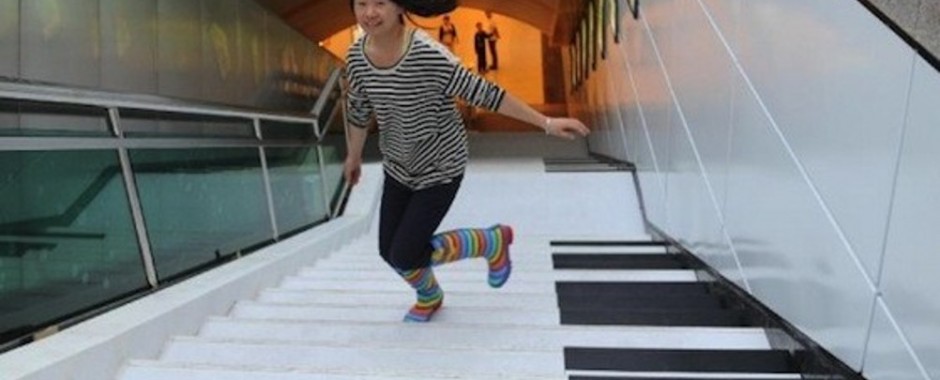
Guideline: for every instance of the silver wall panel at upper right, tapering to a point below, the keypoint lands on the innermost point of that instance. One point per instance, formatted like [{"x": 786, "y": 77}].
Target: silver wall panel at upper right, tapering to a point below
[{"x": 836, "y": 85}]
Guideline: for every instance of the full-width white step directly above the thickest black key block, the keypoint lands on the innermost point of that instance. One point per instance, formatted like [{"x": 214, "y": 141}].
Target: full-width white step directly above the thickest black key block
[{"x": 446, "y": 275}]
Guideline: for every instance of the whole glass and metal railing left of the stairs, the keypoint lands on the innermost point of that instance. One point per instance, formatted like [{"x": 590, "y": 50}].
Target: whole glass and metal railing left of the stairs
[{"x": 104, "y": 196}]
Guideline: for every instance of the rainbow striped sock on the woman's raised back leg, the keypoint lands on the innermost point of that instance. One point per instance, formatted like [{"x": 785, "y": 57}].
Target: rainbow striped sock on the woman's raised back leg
[{"x": 491, "y": 243}]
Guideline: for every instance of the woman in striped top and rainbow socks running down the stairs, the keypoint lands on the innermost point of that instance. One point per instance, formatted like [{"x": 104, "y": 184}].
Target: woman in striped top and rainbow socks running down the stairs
[{"x": 408, "y": 82}]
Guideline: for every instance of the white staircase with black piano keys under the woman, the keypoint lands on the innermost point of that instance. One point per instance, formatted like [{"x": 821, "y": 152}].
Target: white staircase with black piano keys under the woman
[{"x": 580, "y": 305}]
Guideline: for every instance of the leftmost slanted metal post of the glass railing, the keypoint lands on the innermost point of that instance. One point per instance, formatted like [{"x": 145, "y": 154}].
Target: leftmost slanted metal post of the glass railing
[{"x": 133, "y": 197}]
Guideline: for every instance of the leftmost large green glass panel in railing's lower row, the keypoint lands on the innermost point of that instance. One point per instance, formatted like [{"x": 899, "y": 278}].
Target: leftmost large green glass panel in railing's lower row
[{"x": 67, "y": 241}]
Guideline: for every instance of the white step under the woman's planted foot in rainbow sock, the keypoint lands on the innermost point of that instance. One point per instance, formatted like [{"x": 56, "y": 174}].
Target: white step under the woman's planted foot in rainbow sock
[{"x": 371, "y": 313}]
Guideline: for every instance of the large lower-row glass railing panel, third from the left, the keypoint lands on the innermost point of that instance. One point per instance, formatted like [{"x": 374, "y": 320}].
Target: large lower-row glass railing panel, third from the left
[{"x": 296, "y": 187}]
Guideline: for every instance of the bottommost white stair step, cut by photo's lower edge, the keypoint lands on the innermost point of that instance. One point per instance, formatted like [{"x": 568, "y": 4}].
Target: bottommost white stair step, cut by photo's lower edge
[{"x": 156, "y": 370}]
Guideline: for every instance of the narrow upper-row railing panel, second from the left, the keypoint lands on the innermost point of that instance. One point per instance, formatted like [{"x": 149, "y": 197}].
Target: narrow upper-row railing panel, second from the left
[{"x": 138, "y": 123}]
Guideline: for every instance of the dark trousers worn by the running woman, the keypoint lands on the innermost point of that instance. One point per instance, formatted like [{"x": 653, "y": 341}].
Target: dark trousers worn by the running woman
[{"x": 409, "y": 219}]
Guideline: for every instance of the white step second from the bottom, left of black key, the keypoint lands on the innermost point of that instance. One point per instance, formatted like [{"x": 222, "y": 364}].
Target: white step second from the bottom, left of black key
[{"x": 293, "y": 357}]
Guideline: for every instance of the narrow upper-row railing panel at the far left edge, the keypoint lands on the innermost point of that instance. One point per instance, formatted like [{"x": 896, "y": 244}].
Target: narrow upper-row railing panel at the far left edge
[{"x": 22, "y": 118}]
